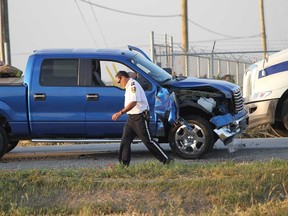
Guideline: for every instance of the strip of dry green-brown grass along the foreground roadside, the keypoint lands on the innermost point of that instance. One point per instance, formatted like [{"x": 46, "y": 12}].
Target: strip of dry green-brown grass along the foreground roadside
[{"x": 149, "y": 189}]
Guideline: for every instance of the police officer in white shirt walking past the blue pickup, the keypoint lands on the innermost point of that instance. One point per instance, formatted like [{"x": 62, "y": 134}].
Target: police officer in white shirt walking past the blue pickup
[{"x": 136, "y": 105}]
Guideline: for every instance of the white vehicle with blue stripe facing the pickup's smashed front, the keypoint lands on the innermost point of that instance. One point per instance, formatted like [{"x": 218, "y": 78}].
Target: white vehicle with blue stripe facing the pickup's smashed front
[{"x": 265, "y": 92}]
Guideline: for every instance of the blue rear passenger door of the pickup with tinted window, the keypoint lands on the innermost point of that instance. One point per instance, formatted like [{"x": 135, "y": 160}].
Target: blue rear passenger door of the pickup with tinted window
[{"x": 57, "y": 98}]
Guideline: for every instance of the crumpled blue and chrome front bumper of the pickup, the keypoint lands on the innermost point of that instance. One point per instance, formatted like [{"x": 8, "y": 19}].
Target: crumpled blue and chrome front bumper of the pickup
[{"x": 227, "y": 126}]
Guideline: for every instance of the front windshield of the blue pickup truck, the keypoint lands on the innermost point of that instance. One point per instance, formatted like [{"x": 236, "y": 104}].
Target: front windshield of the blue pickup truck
[{"x": 154, "y": 71}]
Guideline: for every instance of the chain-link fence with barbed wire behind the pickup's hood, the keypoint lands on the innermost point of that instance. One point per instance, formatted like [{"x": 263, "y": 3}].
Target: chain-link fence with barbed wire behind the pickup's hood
[{"x": 216, "y": 64}]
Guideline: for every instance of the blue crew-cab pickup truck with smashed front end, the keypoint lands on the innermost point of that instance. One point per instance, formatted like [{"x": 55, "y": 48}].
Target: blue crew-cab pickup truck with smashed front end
[{"x": 69, "y": 95}]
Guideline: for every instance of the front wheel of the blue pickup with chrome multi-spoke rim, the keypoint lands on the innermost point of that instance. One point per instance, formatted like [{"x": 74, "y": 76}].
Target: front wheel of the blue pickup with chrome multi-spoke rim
[{"x": 192, "y": 144}]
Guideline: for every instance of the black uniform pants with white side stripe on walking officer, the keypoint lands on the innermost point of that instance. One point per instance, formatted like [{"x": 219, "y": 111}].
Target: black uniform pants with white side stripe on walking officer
[{"x": 136, "y": 125}]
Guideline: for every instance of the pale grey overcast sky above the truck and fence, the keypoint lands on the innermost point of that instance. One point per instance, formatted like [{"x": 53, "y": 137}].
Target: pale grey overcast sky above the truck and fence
[{"x": 233, "y": 24}]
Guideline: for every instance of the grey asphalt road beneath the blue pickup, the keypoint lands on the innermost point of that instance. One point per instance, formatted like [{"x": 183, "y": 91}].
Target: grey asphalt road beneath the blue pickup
[{"x": 103, "y": 155}]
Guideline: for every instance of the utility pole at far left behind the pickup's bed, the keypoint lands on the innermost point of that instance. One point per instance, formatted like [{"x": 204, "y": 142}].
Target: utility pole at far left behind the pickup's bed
[{"x": 5, "y": 54}]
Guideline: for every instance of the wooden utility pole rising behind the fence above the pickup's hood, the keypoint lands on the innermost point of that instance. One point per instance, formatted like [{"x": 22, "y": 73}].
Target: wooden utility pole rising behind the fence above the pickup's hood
[{"x": 185, "y": 42}]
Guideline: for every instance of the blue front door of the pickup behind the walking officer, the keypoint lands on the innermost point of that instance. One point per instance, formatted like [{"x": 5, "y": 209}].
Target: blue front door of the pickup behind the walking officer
[{"x": 106, "y": 98}]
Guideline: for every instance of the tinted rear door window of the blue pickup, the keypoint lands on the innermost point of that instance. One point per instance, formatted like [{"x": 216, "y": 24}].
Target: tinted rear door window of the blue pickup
[{"x": 59, "y": 72}]
